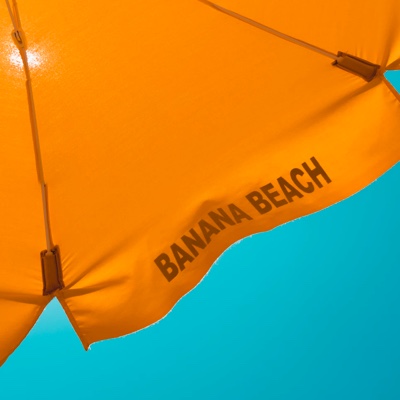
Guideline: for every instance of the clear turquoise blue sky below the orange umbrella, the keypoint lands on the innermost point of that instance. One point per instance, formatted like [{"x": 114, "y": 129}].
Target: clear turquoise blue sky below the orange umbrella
[{"x": 309, "y": 311}]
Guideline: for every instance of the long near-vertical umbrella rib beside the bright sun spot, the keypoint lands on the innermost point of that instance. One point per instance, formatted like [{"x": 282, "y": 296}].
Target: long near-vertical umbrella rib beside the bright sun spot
[{"x": 20, "y": 41}]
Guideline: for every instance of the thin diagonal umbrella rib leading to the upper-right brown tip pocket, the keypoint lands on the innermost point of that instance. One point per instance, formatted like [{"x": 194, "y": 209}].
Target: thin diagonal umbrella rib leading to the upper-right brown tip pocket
[{"x": 272, "y": 31}]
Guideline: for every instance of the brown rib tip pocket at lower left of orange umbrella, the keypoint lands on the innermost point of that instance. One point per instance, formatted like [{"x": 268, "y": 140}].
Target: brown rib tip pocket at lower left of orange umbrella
[{"x": 51, "y": 271}]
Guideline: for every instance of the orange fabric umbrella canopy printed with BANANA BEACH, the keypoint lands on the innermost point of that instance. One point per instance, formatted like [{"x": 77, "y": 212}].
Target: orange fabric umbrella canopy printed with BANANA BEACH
[{"x": 164, "y": 132}]
